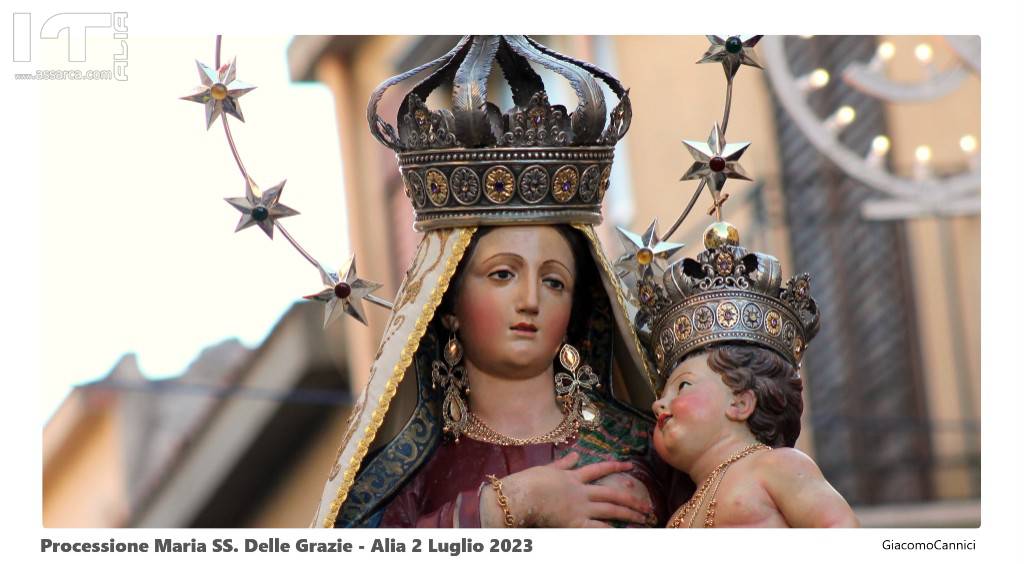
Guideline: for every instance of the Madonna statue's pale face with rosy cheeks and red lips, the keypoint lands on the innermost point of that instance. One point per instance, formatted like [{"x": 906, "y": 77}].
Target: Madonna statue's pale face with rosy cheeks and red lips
[{"x": 516, "y": 299}]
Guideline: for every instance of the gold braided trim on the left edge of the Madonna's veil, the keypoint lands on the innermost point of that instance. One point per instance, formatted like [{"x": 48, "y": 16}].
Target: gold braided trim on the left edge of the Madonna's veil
[{"x": 400, "y": 371}]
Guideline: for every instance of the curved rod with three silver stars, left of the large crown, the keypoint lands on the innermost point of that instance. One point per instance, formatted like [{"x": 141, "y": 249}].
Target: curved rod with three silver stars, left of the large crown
[{"x": 220, "y": 94}]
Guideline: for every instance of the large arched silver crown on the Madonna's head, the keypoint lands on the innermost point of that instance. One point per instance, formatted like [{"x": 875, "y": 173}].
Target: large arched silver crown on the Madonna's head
[{"x": 474, "y": 165}]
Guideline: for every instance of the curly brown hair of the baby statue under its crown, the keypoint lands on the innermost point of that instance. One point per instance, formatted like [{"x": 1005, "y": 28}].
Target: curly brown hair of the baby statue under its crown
[{"x": 776, "y": 383}]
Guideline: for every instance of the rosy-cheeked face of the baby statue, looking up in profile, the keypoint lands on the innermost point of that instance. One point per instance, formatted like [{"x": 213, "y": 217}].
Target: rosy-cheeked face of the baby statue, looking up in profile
[{"x": 692, "y": 412}]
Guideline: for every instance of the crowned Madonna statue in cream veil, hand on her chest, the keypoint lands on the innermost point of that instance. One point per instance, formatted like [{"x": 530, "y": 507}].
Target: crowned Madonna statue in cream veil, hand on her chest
[{"x": 509, "y": 388}]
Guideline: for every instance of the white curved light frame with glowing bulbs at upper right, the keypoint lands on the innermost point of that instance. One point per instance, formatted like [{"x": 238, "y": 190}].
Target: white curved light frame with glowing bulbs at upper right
[{"x": 923, "y": 192}]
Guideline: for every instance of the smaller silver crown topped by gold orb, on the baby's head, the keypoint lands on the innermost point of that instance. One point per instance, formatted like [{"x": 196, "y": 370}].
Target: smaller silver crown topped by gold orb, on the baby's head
[{"x": 727, "y": 294}]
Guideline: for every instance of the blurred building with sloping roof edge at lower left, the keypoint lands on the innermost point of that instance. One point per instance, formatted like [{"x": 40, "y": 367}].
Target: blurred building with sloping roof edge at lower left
[{"x": 240, "y": 441}]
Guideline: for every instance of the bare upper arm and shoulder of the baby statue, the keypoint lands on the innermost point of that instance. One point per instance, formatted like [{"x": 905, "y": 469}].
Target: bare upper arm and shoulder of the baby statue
[{"x": 802, "y": 494}]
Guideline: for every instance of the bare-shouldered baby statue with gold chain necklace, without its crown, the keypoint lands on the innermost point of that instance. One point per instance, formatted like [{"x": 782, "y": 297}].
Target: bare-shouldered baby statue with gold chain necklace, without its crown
[{"x": 730, "y": 416}]
